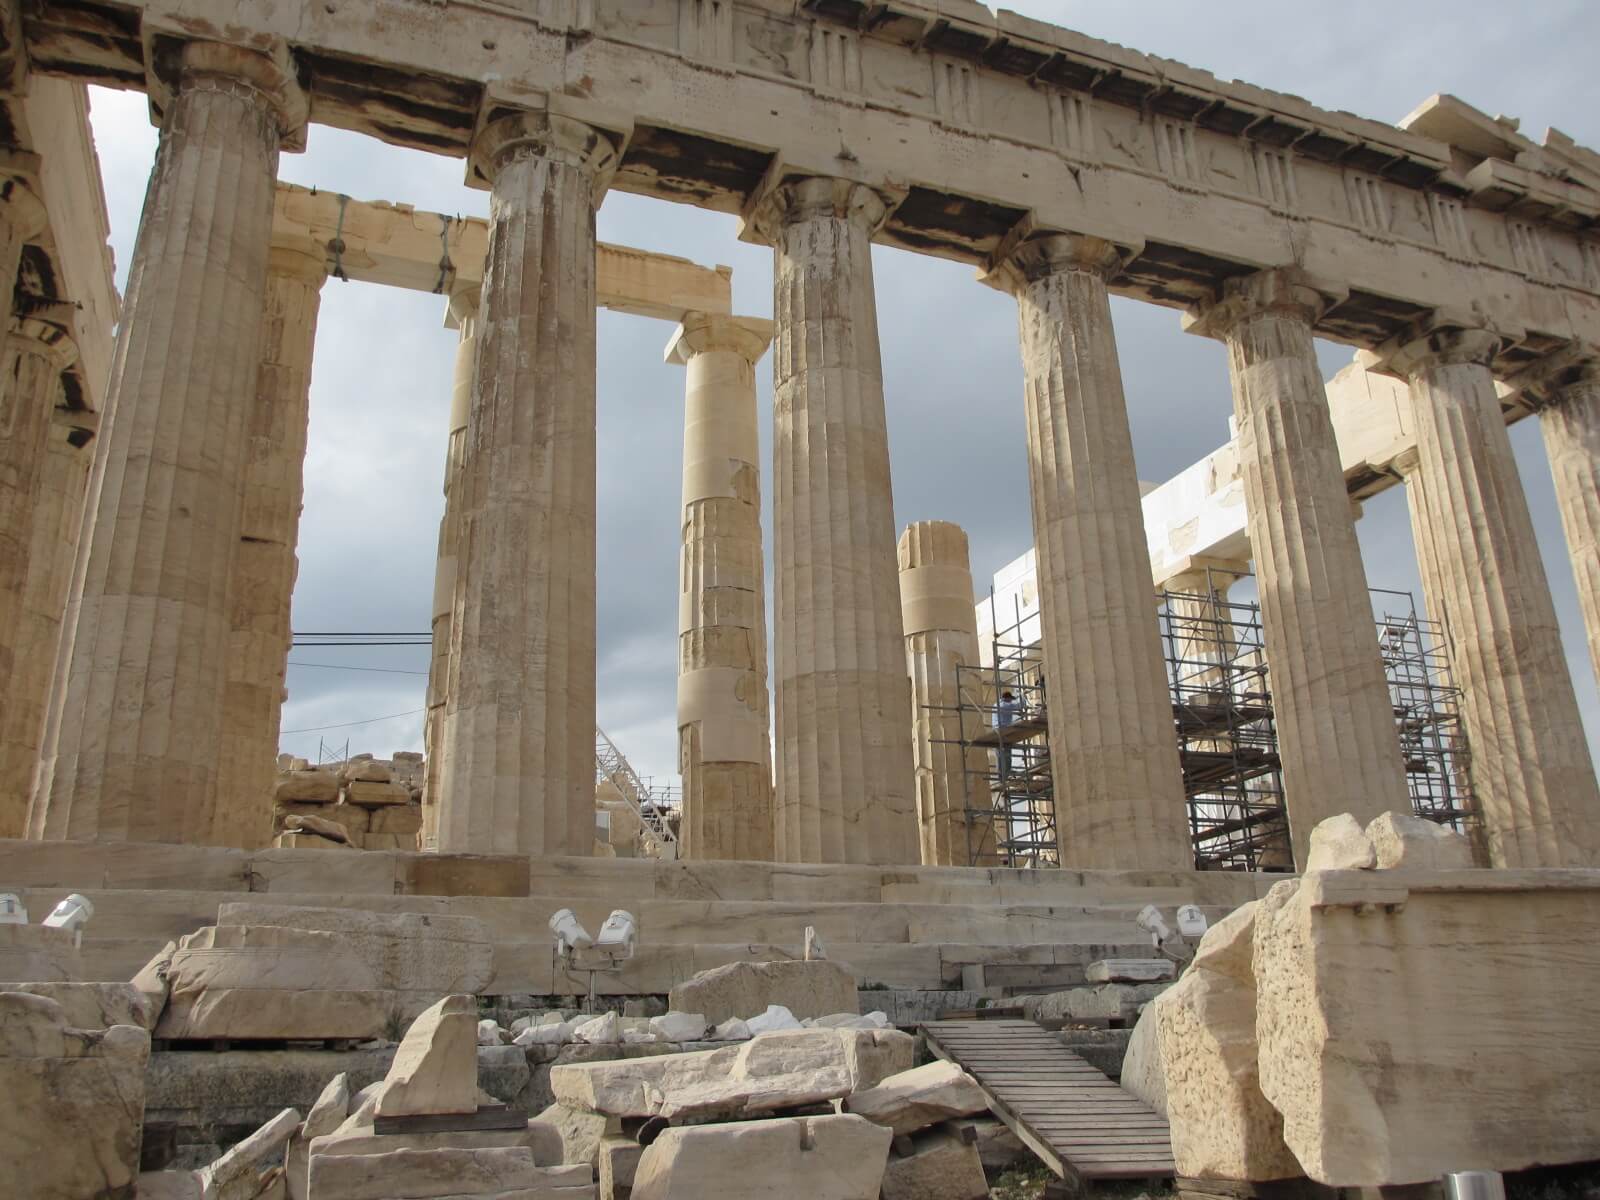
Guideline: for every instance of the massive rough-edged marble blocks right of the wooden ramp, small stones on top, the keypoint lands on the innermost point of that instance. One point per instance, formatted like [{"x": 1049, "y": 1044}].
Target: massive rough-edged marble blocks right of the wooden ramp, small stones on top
[{"x": 1377, "y": 1023}]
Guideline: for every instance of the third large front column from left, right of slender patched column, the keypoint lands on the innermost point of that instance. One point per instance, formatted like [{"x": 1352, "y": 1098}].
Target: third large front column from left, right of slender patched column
[{"x": 844, "y": 746}]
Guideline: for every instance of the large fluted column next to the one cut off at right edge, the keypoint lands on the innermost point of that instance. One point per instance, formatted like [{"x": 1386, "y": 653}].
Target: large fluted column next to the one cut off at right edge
[{"x": 1532, "y": 777}]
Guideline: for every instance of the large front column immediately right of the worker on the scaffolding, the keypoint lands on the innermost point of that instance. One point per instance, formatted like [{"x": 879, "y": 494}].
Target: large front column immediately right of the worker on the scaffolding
[{"x": 1113, "y": 743}]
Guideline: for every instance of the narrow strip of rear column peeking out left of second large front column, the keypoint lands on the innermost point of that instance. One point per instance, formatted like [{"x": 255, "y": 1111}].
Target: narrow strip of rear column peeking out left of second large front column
[{"x": 465, "y": 316}]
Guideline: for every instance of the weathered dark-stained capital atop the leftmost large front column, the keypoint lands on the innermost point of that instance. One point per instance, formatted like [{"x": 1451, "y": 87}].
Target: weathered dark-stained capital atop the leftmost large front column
[{"x": 266, "y": 78}]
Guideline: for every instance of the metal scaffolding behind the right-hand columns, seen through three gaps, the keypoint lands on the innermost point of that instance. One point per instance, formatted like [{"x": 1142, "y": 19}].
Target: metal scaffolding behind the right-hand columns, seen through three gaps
[{"x": 1223, "y": 721}]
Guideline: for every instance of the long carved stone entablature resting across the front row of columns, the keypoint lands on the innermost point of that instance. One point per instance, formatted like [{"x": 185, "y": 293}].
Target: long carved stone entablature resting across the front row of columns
[{"x": 1074, "y": 134}]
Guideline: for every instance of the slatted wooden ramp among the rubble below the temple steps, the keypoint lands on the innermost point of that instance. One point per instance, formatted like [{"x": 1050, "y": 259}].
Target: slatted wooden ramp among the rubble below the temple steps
[{"x": 1068, "y": 1113}]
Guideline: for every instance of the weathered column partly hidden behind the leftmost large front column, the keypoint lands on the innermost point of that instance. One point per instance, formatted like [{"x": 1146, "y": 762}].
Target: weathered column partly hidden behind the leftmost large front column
[{"x": 265, "y": 564}]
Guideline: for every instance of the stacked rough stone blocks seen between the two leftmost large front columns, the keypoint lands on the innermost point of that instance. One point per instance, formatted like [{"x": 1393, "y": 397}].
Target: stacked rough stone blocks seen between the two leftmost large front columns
[{"x": 362, "y": 804}]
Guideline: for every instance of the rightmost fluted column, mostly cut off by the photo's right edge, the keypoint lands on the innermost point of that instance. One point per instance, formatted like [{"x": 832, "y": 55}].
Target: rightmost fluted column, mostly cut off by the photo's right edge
[{"x": 1570, "y": 423}]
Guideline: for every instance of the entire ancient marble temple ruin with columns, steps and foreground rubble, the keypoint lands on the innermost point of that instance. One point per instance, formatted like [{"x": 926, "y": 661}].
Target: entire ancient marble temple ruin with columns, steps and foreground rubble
[{"x": 1127, "y": 890}]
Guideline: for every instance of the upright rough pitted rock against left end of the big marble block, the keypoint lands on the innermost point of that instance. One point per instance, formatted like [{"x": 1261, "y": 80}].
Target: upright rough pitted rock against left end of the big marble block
[{"x": 1223, "y": 1127}]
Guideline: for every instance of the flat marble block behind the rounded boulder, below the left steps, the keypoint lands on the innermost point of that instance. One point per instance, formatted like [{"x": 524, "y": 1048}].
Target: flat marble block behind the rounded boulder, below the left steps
[{"x": 410, "y": 953}]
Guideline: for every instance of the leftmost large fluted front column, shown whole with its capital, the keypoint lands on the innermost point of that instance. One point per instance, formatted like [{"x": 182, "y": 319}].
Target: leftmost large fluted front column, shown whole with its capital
[{"x": 137, "y": 738}]
